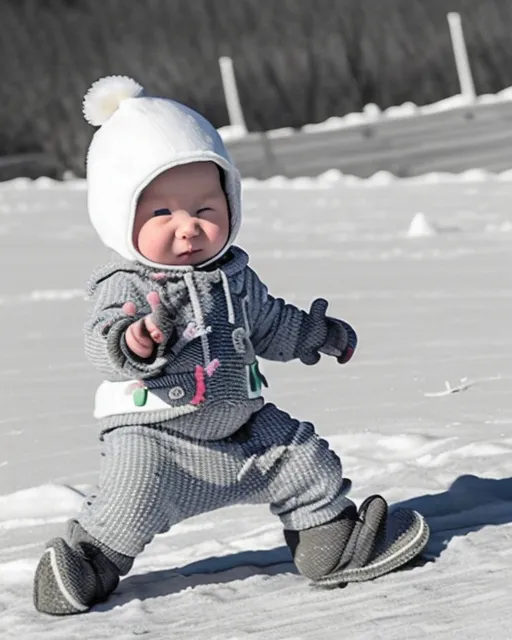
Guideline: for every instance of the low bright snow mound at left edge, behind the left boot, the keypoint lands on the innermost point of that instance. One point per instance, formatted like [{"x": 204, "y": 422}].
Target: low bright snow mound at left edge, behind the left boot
[{"x": 39, "y": 502}]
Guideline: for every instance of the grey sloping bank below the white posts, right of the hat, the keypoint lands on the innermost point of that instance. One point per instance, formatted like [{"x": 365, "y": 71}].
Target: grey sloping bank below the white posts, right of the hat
[{"x": 464, "y": 138}]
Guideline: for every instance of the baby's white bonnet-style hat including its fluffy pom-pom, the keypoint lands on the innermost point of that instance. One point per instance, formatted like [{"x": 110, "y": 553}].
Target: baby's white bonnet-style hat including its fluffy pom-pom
[{"x": 139, "y": 137}]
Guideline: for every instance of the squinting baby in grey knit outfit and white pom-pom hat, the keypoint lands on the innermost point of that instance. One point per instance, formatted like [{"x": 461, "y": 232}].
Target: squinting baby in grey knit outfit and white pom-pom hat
[{"x": 177, "y": 322}]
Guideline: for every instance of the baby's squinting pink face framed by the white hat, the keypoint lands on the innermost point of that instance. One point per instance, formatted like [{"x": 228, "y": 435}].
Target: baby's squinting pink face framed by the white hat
[{"x": 182, "y": 216}]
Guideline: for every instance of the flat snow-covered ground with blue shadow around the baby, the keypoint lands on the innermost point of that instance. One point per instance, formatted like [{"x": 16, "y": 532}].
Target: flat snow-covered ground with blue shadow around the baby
[{"x": 428, "y": 309}]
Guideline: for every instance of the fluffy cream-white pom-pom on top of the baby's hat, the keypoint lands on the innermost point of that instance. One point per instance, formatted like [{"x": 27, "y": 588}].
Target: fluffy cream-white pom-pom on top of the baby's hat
[{"x": 105, "y": 95}]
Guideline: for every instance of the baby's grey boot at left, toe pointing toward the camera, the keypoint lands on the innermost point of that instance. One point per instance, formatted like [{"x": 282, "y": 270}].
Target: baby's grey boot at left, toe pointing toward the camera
[{"x": 70, "y": 578}]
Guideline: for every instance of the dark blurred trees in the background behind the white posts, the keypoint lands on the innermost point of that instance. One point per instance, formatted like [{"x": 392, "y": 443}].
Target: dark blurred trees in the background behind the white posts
[{"x": 296, "y": 61}]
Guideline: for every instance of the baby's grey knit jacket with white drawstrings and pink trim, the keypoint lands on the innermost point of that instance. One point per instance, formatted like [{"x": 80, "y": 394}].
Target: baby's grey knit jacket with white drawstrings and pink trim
[{"x": 216, "y": 322}]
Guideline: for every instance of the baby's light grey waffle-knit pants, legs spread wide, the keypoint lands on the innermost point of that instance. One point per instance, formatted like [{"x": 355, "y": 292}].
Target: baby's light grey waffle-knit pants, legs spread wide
[{"x": 152, "y": 478}]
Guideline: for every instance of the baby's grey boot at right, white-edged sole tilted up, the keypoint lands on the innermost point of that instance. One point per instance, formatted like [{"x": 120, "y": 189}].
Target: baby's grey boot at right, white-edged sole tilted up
[{"x": 359, "y": 545}]
